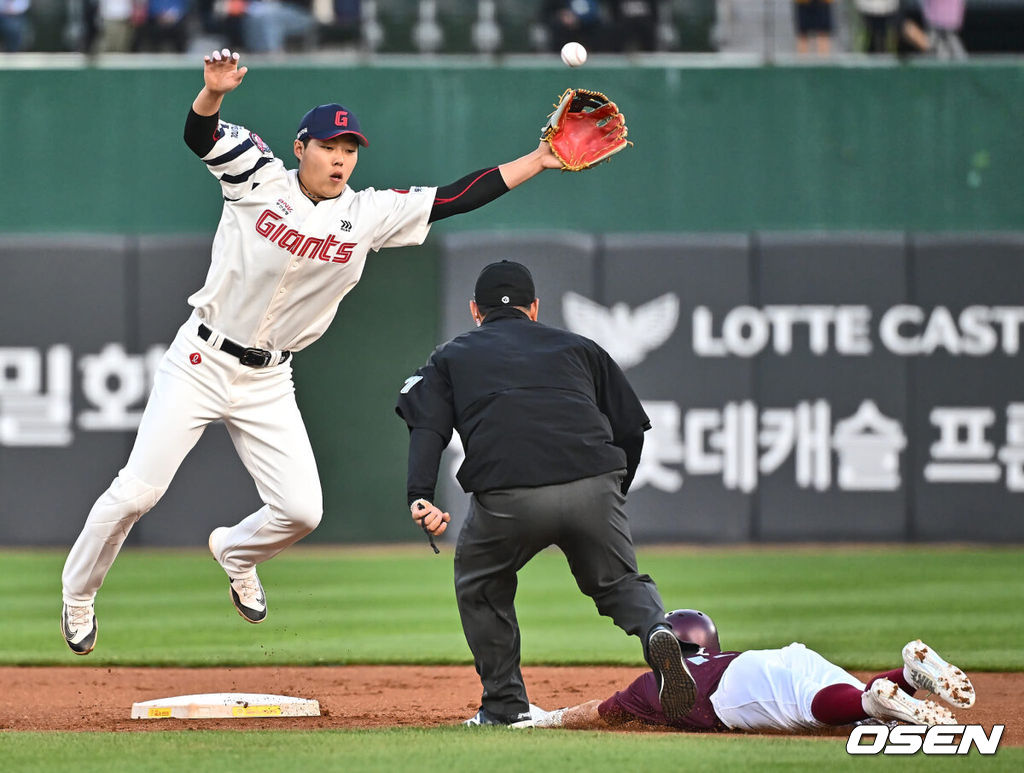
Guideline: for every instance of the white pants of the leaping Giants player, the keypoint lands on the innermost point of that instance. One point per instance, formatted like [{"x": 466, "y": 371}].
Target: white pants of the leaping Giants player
[{"x": 259, "y": 408}]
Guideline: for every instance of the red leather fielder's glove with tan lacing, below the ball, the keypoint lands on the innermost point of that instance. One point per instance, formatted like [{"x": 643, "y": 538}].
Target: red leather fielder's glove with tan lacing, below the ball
[{"x": 585, "y": 130}]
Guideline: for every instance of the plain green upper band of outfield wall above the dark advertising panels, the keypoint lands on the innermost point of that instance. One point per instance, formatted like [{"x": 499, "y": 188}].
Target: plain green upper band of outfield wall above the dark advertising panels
[{"x": 878, "y": 147}]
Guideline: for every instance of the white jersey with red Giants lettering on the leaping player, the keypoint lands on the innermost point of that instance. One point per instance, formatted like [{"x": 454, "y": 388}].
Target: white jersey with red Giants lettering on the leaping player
[{"x": 282, "y": 265}]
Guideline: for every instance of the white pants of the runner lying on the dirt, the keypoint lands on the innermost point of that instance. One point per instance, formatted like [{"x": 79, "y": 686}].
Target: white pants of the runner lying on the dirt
[{"x": 773, "y": 690}]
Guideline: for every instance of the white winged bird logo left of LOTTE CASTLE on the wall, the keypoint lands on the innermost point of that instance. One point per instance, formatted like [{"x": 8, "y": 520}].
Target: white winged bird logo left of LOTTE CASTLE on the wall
[{"x": 627, "y": 336}]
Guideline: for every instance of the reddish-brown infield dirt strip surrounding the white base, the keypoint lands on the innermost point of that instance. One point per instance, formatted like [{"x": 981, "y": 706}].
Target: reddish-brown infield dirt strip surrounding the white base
[{"x": 101, "y": 699}]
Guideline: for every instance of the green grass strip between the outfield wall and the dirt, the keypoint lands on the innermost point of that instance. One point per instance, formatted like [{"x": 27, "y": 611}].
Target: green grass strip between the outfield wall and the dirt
[{"x": 858, "y": 608}]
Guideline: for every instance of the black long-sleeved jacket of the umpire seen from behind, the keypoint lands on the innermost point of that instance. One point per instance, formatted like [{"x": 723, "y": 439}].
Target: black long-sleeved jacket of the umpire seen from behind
[{"x": 534, "y": 406}]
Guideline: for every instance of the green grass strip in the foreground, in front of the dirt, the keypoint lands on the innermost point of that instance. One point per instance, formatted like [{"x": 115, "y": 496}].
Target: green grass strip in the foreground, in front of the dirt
[{"x": 451, "y": 751}]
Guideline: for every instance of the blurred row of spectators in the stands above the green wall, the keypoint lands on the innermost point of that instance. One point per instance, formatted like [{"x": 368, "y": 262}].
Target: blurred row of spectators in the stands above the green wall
[{"x": 817, "y": 28}]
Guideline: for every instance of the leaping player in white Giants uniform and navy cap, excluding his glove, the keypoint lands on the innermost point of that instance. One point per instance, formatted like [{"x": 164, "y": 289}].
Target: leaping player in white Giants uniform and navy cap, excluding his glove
[{"x": 290, "y": 245}]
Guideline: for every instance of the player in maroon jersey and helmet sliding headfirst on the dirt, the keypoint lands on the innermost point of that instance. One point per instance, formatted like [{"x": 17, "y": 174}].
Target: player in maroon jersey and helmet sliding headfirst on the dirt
[{"x": 792, "y": 690}]
